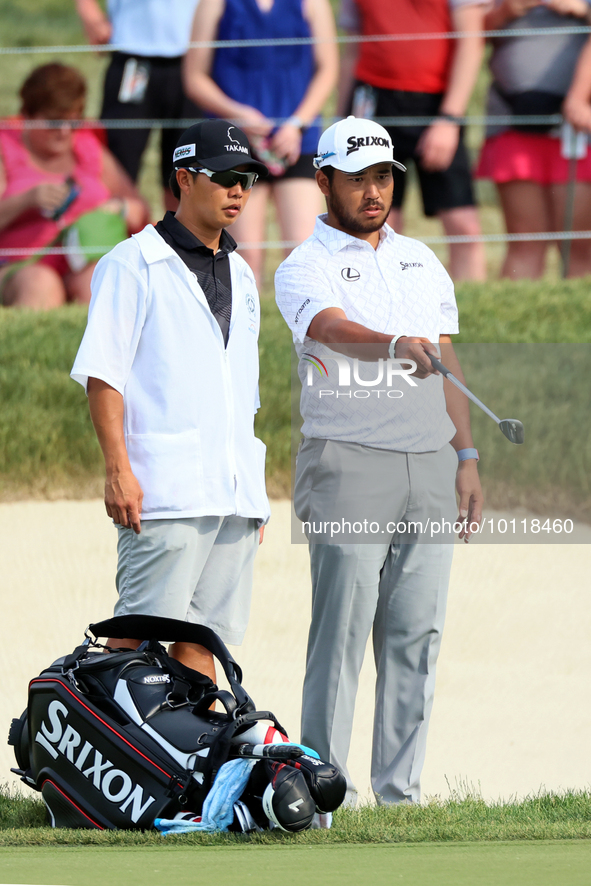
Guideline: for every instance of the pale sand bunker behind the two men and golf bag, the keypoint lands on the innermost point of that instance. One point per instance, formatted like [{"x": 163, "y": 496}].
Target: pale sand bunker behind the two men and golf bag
[{"x": 512, "y": 709}]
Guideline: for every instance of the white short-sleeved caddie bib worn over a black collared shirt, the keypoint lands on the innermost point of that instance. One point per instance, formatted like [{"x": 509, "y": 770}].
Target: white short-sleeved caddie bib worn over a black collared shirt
[{"x": 189, "y": 402}]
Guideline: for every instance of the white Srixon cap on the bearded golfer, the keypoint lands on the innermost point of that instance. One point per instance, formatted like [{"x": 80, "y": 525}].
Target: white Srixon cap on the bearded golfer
[{"x": 354, "y": 144}]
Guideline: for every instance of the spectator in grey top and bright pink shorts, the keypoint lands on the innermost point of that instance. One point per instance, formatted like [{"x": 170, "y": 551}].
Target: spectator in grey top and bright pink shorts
[{"x": 532, "y": 76}]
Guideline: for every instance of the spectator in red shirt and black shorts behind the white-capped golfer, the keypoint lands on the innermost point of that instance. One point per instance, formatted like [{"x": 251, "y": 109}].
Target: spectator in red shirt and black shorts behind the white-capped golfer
[{"x": 423, "y": 78}]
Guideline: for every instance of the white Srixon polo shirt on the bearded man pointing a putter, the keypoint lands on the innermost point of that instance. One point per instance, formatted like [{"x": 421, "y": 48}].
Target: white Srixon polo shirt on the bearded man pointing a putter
[{"x": 400, "y": 288}]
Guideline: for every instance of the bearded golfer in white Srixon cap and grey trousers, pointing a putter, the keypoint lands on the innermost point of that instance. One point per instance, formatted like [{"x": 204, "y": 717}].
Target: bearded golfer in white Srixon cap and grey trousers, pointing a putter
[{"x": 354, "y": 287}]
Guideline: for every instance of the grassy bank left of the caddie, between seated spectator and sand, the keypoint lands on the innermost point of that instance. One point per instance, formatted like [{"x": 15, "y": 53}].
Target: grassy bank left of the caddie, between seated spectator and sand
[{"x": 46, "y": 438}]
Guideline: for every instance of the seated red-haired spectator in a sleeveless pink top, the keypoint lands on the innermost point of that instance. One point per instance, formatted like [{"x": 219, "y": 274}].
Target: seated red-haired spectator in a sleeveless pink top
[{"x": 49, "y": 178}]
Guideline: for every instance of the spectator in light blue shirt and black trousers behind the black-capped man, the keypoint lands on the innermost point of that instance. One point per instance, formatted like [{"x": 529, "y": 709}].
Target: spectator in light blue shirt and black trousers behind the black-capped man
[{"x": 143, "y": 80}]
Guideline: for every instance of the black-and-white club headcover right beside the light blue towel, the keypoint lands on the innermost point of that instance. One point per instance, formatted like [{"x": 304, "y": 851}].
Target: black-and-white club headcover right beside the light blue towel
[{"x": 278, "y": 793}]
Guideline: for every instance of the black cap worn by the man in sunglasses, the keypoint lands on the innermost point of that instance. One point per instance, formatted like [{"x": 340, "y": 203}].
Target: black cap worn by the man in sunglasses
[{"x": 216, "y": 145}]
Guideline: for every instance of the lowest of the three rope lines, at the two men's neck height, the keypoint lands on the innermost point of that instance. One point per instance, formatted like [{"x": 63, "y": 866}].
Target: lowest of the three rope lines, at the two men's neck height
[{"x": 291, "y": 244}]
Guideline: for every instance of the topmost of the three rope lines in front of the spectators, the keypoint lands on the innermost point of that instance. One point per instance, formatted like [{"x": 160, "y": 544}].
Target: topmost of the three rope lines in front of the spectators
[{"x": 308, "y": 41}]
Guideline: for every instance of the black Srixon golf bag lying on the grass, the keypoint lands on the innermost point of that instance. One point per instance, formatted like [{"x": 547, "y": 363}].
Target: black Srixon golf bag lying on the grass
[{"x": 117, "y": 740}]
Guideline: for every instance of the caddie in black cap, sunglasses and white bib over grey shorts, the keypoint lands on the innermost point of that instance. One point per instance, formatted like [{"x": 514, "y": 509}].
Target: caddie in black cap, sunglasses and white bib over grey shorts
[{"x": 169, "y": 360}]
